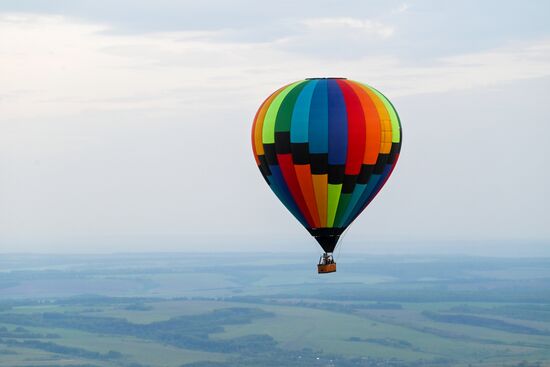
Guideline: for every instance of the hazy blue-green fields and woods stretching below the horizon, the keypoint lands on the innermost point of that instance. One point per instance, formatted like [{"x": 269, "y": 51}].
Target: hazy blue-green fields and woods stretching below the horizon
[{"x": 206, "y": 310}]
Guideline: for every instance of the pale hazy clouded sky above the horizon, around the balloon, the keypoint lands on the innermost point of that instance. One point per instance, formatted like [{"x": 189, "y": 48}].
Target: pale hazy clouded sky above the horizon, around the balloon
[{"x": 125, "y": 126}]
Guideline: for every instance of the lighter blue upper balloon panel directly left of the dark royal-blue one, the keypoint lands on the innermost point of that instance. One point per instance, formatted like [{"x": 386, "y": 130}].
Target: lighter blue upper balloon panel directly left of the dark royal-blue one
[{"x": 318, "y": 119}]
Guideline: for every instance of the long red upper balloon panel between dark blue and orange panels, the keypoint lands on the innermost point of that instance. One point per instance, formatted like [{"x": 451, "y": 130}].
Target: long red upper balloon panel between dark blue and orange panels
[{"x": 356, "y": 129}]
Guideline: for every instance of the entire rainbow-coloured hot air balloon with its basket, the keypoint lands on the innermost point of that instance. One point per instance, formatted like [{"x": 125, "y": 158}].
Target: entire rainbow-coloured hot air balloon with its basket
[{"x": 326, "y": 146}]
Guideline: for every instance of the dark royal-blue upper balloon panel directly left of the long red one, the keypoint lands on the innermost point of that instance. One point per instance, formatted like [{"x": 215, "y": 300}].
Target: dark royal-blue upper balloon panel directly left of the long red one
[{"x": 337, "y": 124}]
